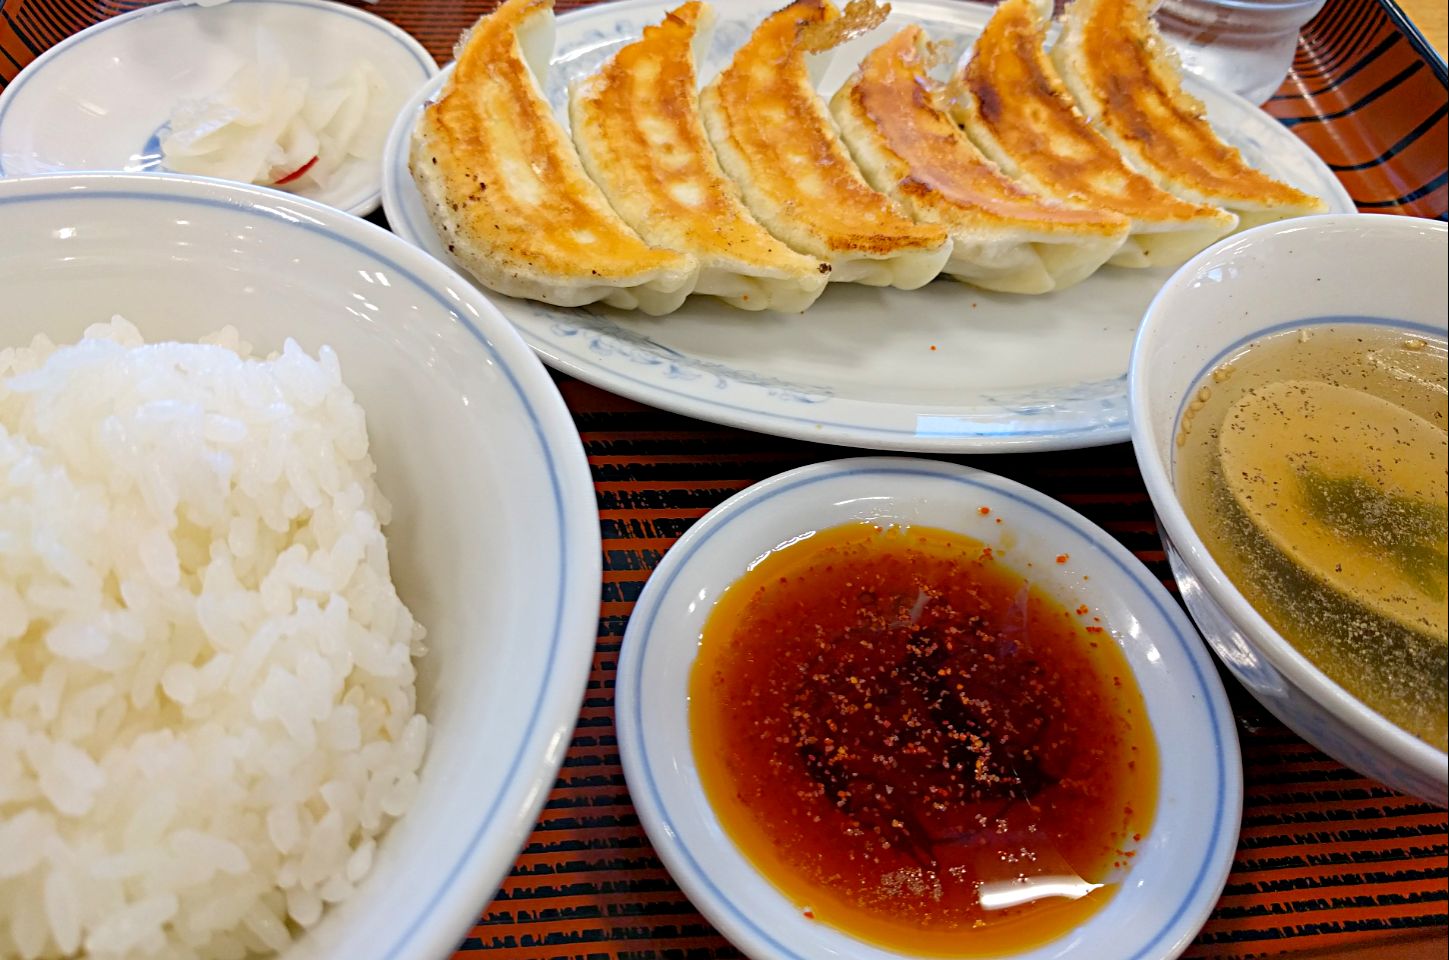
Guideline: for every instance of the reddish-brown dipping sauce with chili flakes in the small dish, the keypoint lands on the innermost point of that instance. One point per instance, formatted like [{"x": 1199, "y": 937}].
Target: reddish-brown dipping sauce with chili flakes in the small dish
[{"x": 919, "y": 746}]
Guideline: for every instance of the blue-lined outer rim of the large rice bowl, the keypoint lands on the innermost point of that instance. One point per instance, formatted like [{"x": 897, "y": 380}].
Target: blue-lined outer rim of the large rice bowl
[{"x": 514, "y": 810}]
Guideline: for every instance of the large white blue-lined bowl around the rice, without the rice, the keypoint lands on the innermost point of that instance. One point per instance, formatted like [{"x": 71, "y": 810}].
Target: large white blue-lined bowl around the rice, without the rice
[{"x": 495, "y": 532}]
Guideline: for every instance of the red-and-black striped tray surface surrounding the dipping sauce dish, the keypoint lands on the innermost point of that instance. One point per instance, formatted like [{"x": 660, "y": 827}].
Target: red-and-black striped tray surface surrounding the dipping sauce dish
[{"x": 1327, "y": 861}]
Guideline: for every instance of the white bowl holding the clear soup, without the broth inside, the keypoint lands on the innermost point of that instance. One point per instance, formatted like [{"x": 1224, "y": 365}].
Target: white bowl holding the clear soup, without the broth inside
[{"x": 1374, "y": 270}]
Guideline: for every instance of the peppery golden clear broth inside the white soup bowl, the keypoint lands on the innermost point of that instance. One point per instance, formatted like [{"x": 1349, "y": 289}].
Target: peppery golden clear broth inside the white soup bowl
[{"x": 1393, "y": 662}]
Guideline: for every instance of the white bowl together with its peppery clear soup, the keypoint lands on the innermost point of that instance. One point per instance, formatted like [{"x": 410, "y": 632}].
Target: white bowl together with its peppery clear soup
[{"x": 1289, "y": 413}]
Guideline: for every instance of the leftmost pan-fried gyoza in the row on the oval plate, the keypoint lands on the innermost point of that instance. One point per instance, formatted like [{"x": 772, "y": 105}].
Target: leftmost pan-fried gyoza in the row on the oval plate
[{"x": 508, "y": 193}]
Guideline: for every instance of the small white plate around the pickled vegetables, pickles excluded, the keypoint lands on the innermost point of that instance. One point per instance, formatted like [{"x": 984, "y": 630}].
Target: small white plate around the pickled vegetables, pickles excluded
[{"x": 99, "y": 101}]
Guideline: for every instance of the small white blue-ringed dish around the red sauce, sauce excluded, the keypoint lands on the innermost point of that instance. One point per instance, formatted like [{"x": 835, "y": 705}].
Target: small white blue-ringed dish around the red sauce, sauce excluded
[{"x": 1183, "y": 862}]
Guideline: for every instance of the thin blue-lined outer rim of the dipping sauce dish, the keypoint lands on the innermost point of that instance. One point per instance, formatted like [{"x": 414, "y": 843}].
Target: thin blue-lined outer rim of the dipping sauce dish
[{"x": 643, "y": 631}]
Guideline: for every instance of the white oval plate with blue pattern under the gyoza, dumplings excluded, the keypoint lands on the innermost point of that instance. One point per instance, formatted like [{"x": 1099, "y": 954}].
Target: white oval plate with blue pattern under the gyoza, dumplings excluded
[{"x": 947, "y": 369}]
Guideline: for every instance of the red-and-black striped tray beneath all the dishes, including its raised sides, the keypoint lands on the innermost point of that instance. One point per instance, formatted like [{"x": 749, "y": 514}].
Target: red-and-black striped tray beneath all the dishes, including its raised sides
[{"x": 1328, "y": 862}]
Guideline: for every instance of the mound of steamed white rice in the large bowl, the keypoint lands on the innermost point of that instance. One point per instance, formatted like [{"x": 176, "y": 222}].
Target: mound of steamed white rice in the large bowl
[{"x": 206, "y": 677}]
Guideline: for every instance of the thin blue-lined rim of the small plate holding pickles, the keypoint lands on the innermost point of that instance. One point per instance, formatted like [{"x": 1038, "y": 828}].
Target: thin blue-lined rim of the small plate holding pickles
[{"x": 322, "y": 8}]
